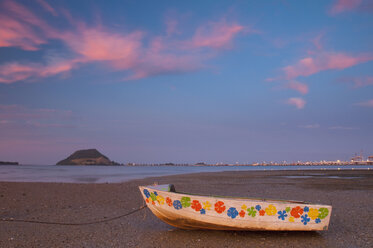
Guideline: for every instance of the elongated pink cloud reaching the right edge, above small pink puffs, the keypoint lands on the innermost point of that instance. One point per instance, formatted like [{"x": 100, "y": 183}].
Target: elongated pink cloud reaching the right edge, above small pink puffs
[{"x": 324, "y": 61}]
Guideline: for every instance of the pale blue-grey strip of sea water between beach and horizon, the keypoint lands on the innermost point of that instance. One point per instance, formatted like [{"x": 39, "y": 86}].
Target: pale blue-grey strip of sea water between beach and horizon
[{"x": 115, "y": 174}]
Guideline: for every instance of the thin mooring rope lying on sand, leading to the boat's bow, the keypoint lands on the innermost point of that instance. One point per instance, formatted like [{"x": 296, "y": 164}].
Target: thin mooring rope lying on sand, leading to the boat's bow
[{"x": 74, "y": 224}]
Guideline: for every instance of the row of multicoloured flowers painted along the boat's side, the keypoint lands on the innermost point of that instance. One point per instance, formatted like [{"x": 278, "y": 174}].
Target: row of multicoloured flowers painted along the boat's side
[{"x": 303, "y": 214}]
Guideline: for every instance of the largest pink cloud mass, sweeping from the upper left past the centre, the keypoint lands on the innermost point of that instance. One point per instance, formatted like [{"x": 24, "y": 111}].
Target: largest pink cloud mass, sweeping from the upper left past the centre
[{"x": 118, "y": 51}]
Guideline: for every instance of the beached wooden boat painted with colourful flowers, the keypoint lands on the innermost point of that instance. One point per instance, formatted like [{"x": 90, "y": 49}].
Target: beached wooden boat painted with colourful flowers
[{"x": 188, "y": 211}]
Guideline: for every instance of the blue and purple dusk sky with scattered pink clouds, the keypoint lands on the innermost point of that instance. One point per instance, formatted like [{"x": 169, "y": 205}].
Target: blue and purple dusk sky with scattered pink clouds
[{"x": 186, "y": 81}]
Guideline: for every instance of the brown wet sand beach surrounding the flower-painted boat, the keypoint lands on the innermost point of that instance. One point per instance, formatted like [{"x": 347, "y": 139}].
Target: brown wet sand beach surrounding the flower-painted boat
[{"x": 349, "y": 192}]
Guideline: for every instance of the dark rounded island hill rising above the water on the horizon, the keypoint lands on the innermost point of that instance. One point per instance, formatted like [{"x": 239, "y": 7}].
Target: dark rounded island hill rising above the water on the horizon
[{"x": 87, "y": 157}]
